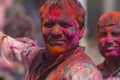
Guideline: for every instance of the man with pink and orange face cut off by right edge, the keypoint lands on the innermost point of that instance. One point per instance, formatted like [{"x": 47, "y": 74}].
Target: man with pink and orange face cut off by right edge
[{"x": 109, "y": 44}]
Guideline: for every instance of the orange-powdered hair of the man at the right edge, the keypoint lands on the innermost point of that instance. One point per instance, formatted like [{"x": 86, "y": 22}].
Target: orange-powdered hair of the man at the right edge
[{"x": 110, "y": 18}]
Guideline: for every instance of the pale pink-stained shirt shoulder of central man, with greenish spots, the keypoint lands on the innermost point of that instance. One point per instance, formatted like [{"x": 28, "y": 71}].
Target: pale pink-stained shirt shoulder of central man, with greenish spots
[{"x": 83, "y": 71}]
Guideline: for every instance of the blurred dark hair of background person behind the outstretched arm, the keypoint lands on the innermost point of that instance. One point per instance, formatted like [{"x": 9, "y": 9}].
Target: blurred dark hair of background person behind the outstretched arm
[{"x": 19, "y": 25}]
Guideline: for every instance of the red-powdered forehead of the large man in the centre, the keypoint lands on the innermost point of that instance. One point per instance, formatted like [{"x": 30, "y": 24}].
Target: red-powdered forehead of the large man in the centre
[{"x": 60, "y": 14}]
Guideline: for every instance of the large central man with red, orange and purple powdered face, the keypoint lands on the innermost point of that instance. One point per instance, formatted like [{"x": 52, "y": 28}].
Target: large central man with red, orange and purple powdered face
[{"x": 62, "y": 24}]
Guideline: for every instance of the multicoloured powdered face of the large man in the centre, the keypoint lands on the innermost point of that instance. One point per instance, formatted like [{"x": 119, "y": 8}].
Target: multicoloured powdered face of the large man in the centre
[{"x": 60, "y": 32}]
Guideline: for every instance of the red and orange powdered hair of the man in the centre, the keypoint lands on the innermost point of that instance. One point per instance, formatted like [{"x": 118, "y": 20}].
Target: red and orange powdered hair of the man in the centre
[{"x": 73, "y": 7}]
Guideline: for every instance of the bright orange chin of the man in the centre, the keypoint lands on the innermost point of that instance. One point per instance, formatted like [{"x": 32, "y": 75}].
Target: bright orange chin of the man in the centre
[{"x": 55, "y": 50}]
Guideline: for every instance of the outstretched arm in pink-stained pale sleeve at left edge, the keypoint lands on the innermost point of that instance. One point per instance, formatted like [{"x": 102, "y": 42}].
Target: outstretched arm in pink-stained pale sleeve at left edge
[{"x": 13, "y": 50}]
